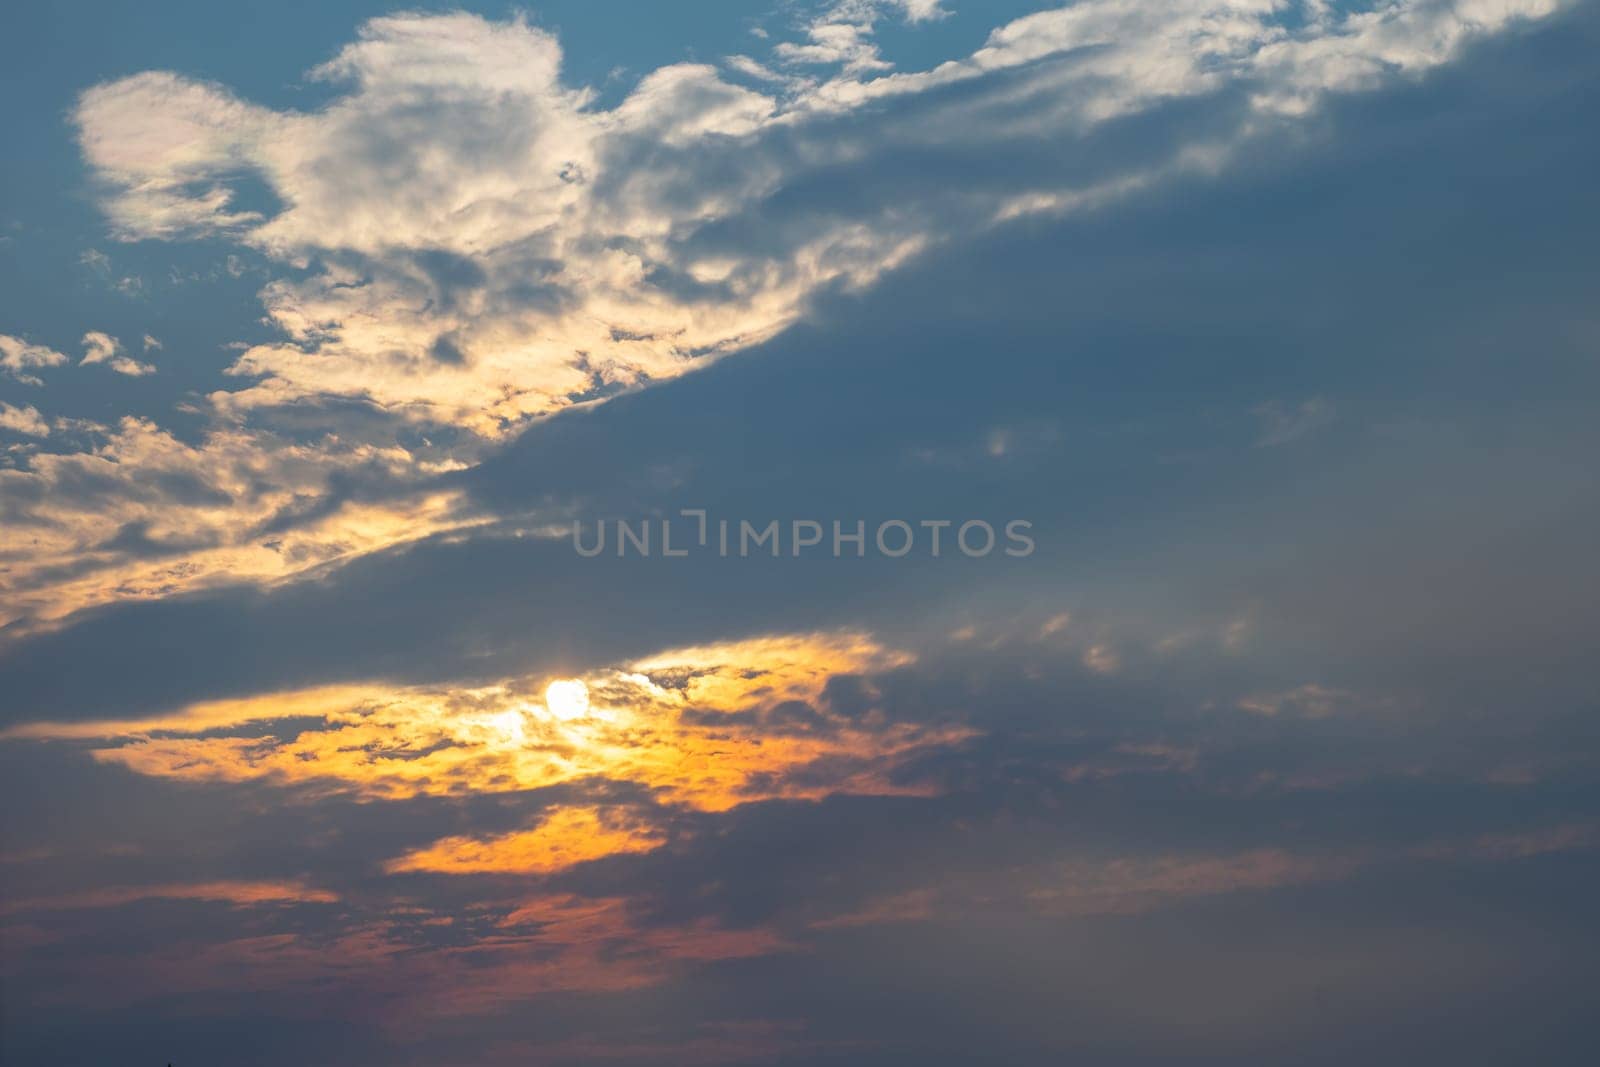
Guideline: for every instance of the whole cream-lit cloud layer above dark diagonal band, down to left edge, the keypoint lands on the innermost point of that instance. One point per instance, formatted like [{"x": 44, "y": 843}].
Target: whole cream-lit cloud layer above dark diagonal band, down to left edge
[{"x": 463, "y": 241}]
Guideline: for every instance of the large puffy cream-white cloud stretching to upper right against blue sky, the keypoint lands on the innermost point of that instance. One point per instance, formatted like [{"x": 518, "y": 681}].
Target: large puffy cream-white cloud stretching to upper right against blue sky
[{"x": 460, "y": 199}]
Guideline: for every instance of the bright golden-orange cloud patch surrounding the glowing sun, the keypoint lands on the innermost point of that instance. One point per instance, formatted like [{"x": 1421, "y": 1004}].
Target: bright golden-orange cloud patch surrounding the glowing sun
[{"x": 710, "y": 729}]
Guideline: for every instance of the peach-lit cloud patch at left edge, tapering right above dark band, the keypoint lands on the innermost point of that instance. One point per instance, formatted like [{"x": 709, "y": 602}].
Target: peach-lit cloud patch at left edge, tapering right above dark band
[{"x": 143, "y": 514}]
